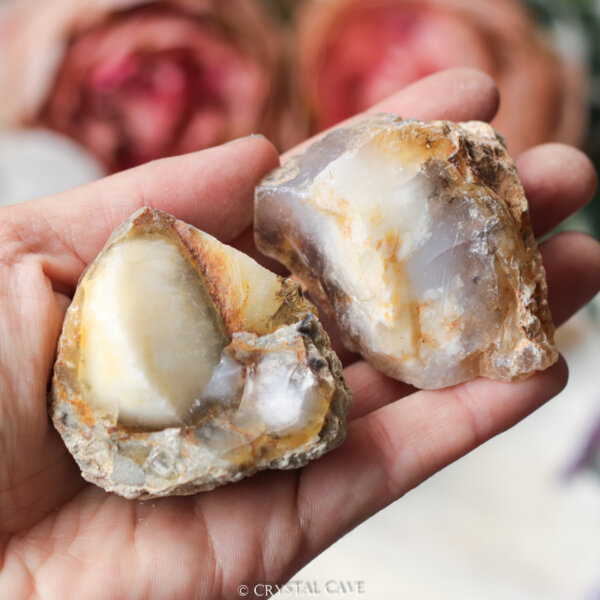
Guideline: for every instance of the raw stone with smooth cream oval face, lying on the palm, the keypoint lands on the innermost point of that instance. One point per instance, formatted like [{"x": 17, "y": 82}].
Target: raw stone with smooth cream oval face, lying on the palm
[{"x": 183, "y": 365}]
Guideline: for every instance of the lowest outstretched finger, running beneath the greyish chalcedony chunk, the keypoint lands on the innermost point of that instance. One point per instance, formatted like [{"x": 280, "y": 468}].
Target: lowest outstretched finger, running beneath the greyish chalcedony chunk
[{"x": 393, "y": 449}]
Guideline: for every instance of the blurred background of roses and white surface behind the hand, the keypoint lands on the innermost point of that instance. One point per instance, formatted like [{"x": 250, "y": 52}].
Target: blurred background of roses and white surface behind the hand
[{"x": 90, "y": 88}]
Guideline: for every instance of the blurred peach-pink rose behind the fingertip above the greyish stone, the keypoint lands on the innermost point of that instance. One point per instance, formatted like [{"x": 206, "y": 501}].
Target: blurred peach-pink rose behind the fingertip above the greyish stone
[{"x": 354, "y": 53}]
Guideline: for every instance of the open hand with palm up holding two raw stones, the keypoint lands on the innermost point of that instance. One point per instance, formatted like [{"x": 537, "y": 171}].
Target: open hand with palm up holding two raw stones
[{"x": 63, "y": 538}]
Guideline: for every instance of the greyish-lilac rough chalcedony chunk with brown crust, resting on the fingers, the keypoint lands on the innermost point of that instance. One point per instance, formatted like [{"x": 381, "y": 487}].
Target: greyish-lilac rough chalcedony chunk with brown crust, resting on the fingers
[{"x": 415, "y": 237}]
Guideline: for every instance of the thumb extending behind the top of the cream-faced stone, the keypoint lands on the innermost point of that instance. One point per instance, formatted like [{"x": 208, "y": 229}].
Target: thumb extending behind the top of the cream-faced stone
[{"x": 211, "y": 189}]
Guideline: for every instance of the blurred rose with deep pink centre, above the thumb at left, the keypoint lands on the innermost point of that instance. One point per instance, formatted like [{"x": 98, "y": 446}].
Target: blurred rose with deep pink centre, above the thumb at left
[{"x": 134, "y": 80}]
